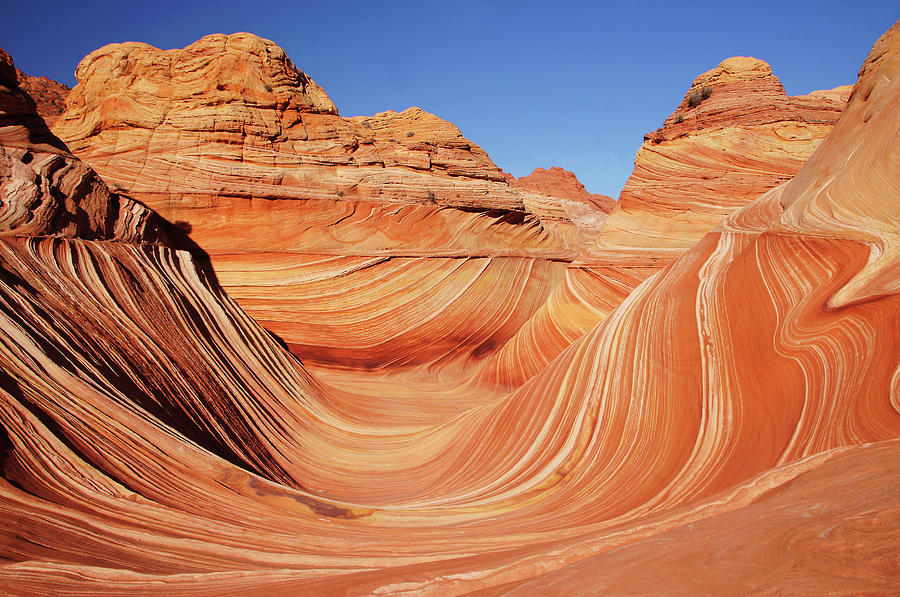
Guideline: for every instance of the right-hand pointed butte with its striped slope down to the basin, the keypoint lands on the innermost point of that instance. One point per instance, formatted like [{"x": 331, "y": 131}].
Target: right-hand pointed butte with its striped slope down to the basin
[{"x": 735, "y": 136}]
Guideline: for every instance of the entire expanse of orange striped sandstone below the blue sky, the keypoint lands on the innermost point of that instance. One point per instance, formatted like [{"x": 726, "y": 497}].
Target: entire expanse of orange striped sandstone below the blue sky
[{"x": 490, "y": 396}]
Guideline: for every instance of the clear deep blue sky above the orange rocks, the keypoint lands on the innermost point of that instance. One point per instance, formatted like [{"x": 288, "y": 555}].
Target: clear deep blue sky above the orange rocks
[{"x": 571, "y": 84}]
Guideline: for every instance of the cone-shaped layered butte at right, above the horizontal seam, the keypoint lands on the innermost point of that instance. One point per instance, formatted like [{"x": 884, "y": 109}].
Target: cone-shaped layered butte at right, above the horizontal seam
[{"x": 733, "y": 137}]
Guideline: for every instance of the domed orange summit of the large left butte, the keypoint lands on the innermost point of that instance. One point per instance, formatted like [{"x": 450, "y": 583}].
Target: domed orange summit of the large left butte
[{"x": 225, "y": 75}]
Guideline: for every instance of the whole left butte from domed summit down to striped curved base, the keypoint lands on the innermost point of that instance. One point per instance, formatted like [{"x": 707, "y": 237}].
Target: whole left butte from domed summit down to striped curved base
[{"x": 228, "y": 137}]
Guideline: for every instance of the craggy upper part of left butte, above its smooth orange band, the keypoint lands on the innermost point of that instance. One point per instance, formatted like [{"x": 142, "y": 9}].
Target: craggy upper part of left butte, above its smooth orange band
[{"x": 267, "y": 131}]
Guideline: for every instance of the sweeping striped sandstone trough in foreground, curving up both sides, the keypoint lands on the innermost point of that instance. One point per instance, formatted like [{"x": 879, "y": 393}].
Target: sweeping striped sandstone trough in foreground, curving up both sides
[{"x": 742, "y": 402}]
